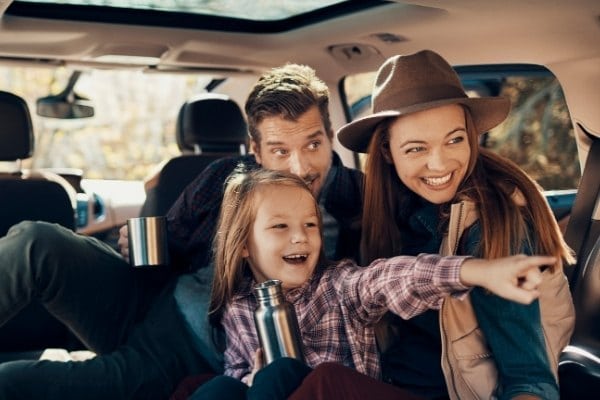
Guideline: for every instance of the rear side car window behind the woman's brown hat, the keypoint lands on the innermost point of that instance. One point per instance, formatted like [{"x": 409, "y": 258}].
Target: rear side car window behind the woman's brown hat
[{"x": 537, "y": 135}]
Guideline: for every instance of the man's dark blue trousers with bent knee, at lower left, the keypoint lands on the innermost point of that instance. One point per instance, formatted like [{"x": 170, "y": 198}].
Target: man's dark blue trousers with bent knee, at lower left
[{"x": 127, "y": 316}]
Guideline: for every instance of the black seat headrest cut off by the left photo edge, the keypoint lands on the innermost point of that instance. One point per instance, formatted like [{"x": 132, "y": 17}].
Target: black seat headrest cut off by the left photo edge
[{"x": 16, "y": 132}]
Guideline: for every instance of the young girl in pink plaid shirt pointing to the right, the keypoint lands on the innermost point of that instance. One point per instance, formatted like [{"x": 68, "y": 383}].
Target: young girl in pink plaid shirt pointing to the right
[{"x": 270, "y": 228}]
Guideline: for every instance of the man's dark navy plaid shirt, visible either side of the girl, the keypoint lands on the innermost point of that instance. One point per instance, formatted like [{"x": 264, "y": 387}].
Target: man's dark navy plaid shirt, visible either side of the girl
[{"x": 193, "y": 218}]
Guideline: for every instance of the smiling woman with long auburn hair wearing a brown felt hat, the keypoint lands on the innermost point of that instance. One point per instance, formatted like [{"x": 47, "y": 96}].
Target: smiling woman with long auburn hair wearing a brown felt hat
[{"x": 426, "y": 173}]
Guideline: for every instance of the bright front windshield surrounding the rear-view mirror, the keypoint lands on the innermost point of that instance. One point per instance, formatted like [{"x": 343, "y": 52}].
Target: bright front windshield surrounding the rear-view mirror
[{"x": 131, "y": 131}]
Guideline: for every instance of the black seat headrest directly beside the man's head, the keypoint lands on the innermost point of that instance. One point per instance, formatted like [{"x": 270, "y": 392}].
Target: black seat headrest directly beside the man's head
[{"x": 212, "y": 121}]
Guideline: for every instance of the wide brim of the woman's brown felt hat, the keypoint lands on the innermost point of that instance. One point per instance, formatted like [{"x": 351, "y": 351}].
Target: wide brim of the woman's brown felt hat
[{"x": 487, "y": 112}]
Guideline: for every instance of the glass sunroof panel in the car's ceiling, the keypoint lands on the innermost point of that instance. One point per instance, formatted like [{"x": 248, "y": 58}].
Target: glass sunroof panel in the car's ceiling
[{"x": 253, "y": 16}]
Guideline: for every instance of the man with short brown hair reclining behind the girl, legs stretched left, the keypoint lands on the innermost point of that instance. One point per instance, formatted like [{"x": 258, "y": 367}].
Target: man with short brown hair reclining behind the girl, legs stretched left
[{"x": 149, "y": 328}]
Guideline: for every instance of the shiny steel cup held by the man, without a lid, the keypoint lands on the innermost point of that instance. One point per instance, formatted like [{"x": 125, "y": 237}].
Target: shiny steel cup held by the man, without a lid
[{"x": 147, "y": 237}]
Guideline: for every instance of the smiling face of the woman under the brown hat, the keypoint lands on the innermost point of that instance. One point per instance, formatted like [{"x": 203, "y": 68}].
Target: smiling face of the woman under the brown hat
[{"x": 430, "y": 151}]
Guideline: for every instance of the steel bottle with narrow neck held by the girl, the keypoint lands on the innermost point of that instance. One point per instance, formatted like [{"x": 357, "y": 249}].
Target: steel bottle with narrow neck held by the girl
[{"x": 276, "y": 323}]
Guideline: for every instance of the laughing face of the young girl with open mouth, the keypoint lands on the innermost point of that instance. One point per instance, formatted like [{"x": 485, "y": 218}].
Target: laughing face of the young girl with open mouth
[{"x": 285, "y": 241}]
